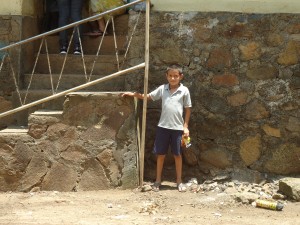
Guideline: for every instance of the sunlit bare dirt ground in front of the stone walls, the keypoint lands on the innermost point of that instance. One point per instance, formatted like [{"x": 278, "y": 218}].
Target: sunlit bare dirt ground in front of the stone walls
[{"x": 167, "y": 206}]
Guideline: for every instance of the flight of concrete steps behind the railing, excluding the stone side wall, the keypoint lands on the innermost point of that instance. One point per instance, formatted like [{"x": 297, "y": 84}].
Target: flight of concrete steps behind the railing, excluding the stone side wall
[{"x": 73, "y": 73}]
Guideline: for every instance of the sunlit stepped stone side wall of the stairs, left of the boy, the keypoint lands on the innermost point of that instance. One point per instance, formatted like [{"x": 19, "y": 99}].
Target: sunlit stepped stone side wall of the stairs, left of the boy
[{"x": 91, "y": 145}]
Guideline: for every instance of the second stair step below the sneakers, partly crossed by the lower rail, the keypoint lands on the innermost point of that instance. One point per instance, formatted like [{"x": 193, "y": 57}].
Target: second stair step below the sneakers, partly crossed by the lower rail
[{"x": 67, "y": 81}]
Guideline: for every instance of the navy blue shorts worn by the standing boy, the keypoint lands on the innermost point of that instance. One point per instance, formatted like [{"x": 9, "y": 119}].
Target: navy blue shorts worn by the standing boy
[{"x": 165, "y": 138}]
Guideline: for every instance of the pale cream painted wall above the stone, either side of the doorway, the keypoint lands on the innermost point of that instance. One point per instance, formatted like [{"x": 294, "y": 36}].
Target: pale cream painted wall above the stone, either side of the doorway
[{"x": 28, "y": 7}]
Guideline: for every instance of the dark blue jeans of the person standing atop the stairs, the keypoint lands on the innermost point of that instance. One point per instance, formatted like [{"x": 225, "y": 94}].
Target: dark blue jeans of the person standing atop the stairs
[{"x": 69, "y": 11}]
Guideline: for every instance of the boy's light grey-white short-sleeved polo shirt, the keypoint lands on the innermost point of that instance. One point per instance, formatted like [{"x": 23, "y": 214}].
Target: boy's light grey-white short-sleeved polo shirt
[{"x": 172, "y": 105}]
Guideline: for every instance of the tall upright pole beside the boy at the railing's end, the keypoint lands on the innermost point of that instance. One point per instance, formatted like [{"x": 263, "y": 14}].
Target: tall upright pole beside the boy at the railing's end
[{"x": 142, "y": 147}]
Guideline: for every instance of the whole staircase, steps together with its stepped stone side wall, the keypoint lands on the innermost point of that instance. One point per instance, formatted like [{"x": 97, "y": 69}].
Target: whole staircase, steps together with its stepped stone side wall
[{"x": 84, "y": 141}]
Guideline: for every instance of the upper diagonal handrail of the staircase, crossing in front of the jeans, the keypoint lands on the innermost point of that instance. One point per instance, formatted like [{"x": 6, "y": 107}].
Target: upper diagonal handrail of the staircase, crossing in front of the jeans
[{"x": 91, "y": 18}]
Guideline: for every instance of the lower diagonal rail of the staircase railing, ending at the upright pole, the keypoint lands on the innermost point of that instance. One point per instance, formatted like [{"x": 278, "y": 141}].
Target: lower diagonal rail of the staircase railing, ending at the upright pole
[{"x": 63, "y": 93}]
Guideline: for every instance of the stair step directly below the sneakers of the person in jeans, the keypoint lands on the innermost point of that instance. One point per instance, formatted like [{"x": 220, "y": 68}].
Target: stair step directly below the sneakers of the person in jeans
[{"x": 105, "y": 64}]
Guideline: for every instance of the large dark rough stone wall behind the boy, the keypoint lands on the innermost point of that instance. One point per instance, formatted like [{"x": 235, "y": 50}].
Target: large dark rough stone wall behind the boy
[{"x": 243, "y": 73}]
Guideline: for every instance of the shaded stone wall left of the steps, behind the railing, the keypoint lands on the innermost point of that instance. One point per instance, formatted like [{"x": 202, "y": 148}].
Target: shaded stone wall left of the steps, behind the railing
[{"x": 14, "y": 29}]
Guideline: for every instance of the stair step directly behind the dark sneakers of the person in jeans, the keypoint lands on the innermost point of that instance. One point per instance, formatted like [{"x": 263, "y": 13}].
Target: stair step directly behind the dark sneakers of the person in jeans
[{"x": 90, "y": 45}]
